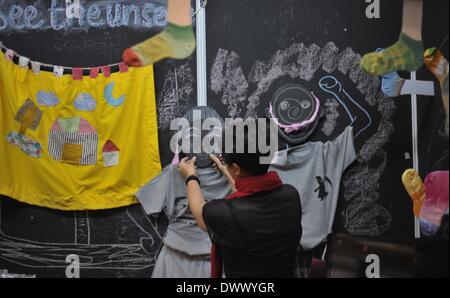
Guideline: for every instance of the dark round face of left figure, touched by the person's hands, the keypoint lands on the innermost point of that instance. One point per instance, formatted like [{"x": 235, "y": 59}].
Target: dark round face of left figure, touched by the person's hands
[{"x": 200, "y": 114}]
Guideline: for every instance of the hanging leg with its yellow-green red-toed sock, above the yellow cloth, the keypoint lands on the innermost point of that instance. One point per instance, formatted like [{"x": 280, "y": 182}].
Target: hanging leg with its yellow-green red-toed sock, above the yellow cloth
[{"x": 177, "y": 41}]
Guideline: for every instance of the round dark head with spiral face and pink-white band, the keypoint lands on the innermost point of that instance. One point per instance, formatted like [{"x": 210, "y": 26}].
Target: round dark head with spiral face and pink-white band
[{"x": 296, "y": 111}]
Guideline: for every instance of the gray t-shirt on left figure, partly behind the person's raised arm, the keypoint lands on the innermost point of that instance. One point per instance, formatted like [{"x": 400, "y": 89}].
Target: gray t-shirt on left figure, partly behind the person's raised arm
[{"x": 167, "y": 193}]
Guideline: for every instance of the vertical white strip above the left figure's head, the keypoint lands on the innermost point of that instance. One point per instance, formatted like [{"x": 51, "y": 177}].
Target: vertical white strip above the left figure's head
[{"x": 202, "y": 86}]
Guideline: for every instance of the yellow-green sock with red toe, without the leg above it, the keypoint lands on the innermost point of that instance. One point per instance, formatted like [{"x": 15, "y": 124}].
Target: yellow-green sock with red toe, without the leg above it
[{"x": 177, "y": 42}]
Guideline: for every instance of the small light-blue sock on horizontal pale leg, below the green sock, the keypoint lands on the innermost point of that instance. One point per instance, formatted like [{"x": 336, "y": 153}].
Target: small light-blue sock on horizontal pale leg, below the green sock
[{"x": 394, "y": 86}]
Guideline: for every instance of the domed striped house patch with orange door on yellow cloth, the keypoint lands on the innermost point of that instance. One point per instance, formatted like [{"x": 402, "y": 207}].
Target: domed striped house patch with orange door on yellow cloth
[{"x": 73, "y": 141}]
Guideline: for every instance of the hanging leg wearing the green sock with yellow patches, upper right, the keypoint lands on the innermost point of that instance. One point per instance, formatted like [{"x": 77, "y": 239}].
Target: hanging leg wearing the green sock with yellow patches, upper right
[{"x": 407, "y": 53}]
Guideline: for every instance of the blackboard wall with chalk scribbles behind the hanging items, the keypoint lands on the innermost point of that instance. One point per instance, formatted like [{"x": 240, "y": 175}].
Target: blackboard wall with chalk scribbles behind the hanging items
[{"x": 248, "y": 42}]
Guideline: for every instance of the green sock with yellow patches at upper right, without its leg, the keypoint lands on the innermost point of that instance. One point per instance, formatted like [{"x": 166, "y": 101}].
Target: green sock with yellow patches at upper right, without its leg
[{"x": 405, "y": 55}]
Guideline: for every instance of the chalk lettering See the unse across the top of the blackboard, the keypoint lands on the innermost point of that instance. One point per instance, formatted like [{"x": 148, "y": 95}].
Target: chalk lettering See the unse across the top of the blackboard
[{"x": 17, "y": 16}]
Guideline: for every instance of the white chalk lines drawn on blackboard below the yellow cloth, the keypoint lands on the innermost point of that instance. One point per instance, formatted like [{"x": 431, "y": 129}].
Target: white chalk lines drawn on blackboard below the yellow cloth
[{"x": 34, "y": 254}]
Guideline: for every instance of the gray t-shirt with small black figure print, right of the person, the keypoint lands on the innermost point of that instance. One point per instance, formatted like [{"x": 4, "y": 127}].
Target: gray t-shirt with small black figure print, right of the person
[{"x": 315, "y": 170}]
